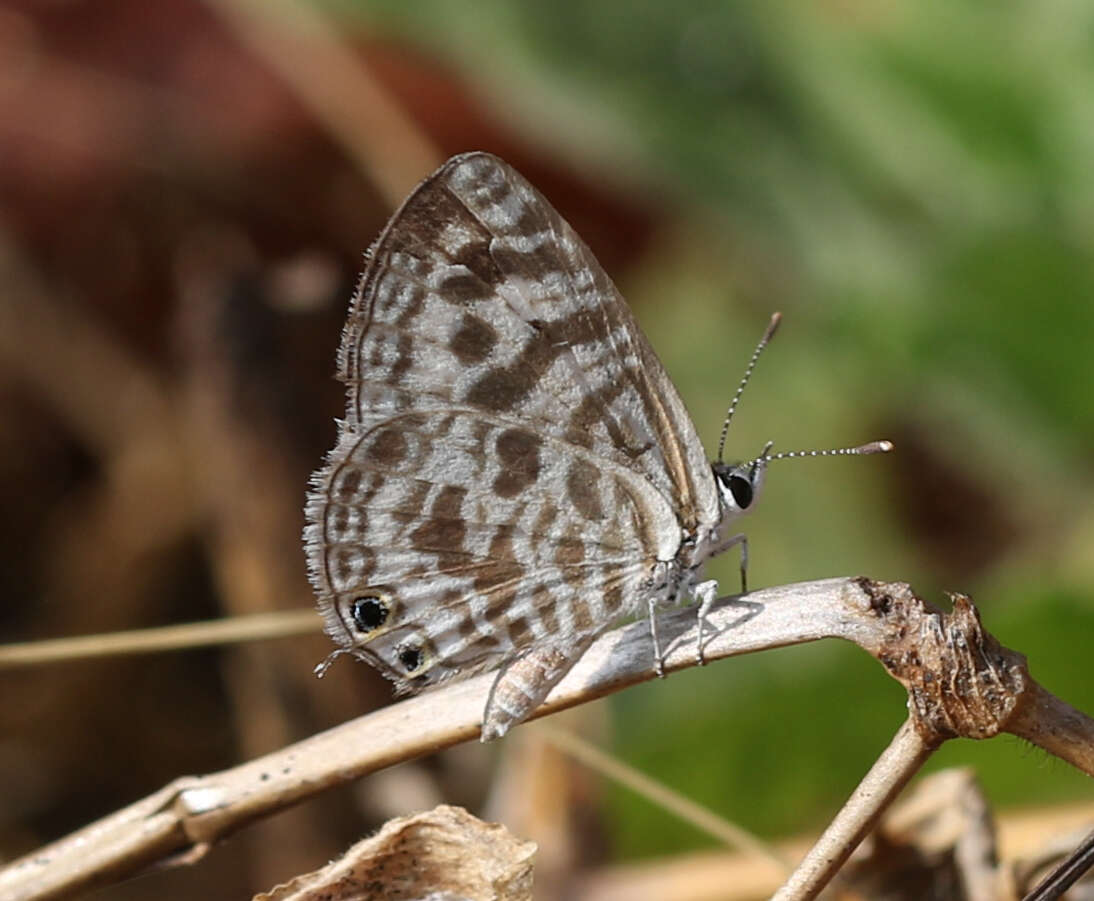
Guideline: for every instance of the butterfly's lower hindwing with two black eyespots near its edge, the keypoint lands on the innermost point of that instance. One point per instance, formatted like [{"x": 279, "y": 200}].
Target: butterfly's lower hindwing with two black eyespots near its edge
[{"x": 413, "y": 522}]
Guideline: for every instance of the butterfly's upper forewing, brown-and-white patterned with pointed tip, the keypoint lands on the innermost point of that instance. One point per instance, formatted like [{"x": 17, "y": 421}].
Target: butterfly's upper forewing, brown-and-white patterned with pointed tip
[{"x": 480, "y": 295}]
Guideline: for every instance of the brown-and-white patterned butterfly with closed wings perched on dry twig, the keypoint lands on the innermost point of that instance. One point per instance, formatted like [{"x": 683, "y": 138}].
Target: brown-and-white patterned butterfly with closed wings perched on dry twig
[{"x": 516, "y": 473}]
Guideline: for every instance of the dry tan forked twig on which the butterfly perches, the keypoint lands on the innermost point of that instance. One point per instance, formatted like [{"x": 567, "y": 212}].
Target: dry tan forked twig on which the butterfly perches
[{"x": 960, "y": 681}]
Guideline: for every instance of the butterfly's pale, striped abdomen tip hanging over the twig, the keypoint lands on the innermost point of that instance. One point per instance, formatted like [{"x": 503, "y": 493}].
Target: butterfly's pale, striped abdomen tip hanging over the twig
[{"x": 523, "y": 685}]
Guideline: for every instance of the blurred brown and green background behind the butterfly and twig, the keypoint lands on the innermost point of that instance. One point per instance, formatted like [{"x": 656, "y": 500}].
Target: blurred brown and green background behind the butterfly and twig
[{"x": 187, "y": 192}]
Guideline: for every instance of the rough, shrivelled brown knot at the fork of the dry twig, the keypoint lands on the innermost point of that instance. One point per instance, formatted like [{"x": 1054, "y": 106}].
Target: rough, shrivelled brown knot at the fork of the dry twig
[{"x": 961, "y": 682}]
